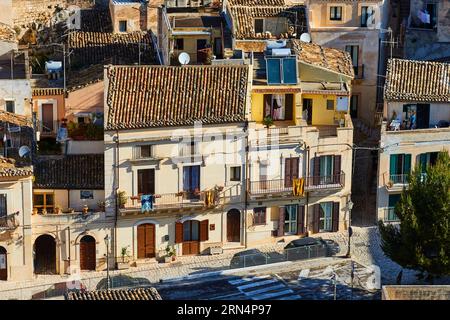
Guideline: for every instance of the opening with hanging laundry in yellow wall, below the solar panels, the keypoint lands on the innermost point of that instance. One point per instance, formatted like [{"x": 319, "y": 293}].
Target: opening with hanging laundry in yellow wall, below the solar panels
[{"x": 279, "y": 106}]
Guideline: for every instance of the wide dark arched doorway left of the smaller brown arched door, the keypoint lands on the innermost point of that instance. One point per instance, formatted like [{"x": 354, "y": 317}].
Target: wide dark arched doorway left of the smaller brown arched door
[{"x": 45, "y": 255}]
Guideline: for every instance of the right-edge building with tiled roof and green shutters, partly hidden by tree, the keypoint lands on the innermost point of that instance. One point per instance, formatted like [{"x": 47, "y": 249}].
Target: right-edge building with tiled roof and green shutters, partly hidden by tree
[{"x": 415, "y": 126}]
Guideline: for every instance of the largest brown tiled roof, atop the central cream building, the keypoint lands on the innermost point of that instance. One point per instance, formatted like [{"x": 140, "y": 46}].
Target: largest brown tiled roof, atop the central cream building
[{"x": 153, "y": 96}]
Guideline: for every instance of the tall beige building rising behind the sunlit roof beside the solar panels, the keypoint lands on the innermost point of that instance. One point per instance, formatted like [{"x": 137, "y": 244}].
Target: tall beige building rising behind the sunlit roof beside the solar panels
[{"x": 356, "y": 27}]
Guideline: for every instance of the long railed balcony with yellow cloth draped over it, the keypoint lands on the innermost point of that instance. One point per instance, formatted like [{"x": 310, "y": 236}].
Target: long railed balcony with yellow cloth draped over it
[{"x": 282, "y": 187}]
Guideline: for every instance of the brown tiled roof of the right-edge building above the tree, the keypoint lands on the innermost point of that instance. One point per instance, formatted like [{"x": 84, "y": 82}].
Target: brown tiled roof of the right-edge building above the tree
[{"x": 408, "y": 80}]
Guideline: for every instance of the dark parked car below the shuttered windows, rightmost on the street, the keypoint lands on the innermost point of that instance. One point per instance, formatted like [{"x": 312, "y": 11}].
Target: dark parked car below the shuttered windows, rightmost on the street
[{"x": 309, "y": 247}]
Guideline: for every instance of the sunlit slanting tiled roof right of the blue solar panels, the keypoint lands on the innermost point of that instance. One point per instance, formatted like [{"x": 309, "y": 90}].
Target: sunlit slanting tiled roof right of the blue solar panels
[{"x": 332, "y": 59}]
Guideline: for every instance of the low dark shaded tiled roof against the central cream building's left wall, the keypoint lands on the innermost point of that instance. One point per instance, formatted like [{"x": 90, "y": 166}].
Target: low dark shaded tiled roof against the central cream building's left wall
[{"x": 84, "y": 171}]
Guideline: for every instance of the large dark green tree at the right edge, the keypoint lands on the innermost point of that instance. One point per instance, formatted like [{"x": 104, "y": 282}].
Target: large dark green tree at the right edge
[{"x": 422, "y": 240}]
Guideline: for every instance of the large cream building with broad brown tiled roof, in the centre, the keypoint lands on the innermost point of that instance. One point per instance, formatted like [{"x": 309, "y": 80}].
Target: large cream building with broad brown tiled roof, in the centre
[{"x": 173, "y": 157}]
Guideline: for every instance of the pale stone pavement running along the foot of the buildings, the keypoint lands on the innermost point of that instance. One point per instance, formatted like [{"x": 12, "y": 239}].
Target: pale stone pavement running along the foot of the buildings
[{"x": 365, "y": 250}]
